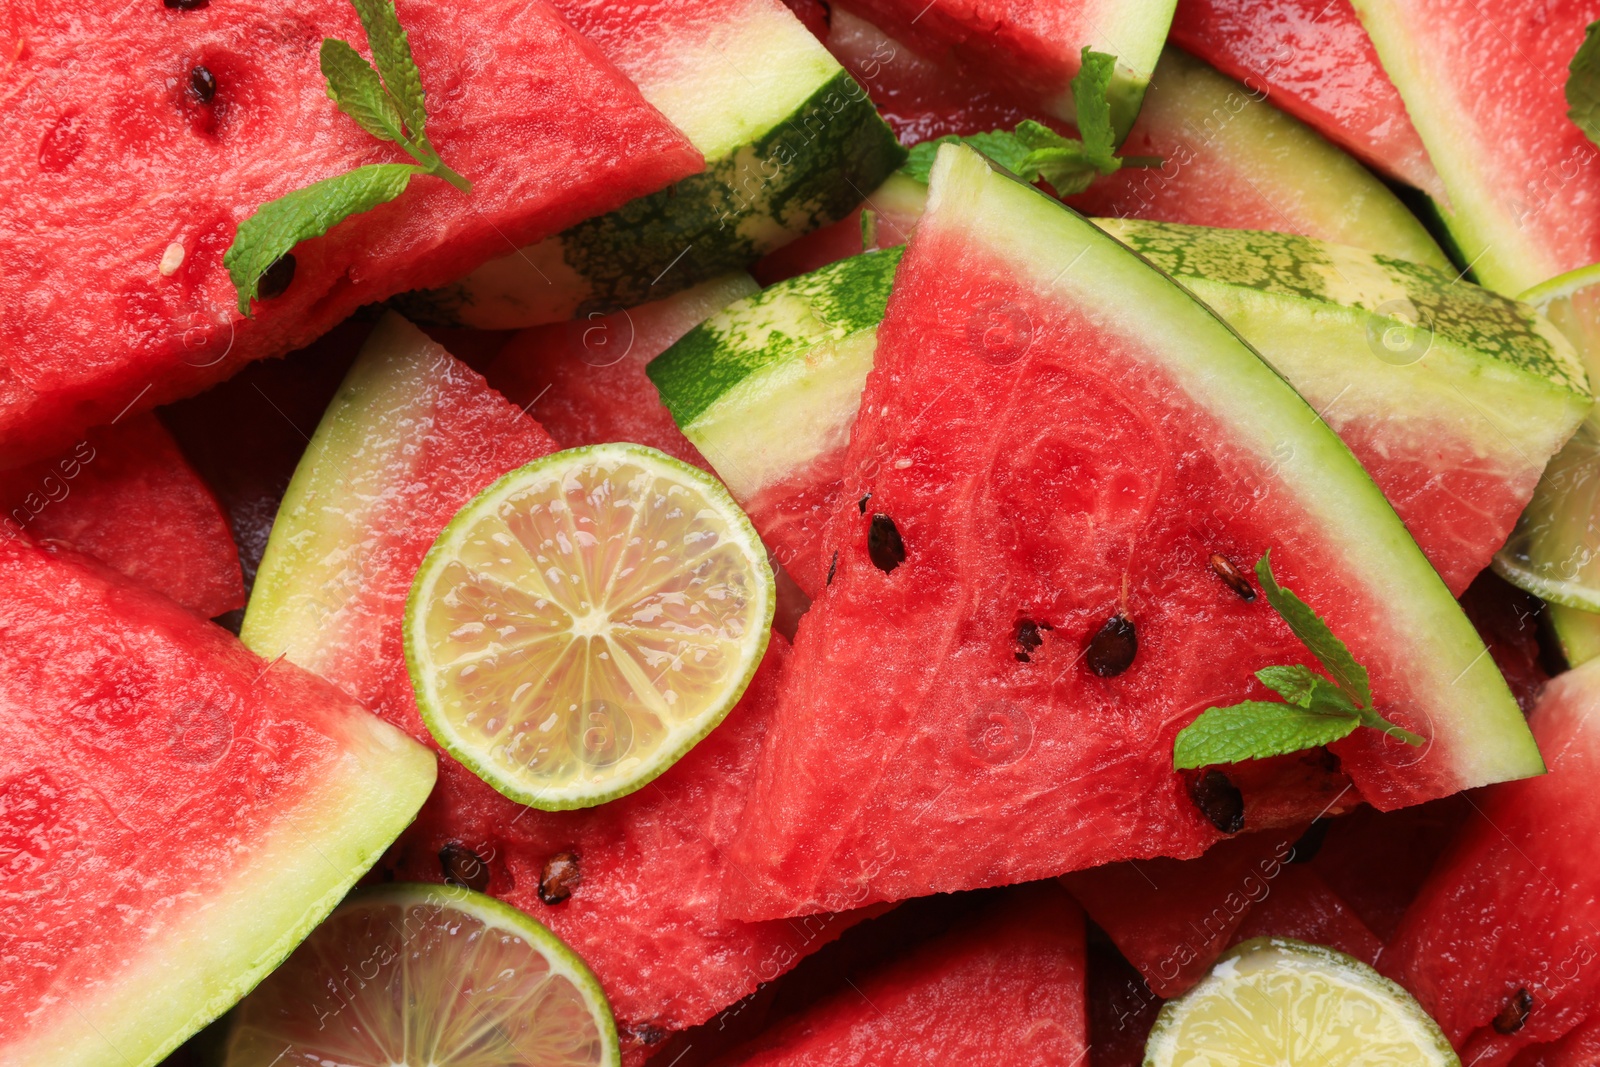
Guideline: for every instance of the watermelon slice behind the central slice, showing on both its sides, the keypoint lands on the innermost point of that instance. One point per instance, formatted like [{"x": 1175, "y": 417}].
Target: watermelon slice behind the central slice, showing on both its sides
[{"x": 1454, "y": 417}]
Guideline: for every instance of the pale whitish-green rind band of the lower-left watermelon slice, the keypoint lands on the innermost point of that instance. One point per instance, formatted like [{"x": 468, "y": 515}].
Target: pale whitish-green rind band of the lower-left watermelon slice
[{"x": 207, "y": 953}]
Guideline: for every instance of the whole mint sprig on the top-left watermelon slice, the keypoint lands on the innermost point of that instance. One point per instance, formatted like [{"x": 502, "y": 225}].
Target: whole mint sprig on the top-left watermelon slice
[{"x": 386, "y": 100}]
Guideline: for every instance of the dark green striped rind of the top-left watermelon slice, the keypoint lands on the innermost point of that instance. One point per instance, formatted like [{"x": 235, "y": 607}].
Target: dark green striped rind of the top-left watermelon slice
[{"x": 793, "y": 175}]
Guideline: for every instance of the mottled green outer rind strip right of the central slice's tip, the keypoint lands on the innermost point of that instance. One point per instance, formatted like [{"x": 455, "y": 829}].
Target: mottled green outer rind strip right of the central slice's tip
[{"x": 1465, "y": 314}]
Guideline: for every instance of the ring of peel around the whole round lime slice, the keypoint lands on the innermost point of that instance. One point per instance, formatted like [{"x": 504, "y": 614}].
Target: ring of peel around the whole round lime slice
[{"x": 663, "y": 759}]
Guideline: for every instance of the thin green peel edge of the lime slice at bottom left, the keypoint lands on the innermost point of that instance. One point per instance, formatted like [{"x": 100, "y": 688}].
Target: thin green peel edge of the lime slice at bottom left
[{"x": 503, "y": 917}]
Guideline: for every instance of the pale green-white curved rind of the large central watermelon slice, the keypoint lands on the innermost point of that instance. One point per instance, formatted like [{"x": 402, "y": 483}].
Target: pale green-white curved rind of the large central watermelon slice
[{"x": 1073, "y": 262}]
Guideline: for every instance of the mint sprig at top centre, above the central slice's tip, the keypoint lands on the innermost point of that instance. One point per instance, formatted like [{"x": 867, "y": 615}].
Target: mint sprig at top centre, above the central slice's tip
[{"x": 1036, "y": 153}]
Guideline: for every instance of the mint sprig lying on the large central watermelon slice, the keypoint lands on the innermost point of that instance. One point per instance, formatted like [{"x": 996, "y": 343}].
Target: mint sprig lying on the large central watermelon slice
[{"x": 1316, "y": 711}]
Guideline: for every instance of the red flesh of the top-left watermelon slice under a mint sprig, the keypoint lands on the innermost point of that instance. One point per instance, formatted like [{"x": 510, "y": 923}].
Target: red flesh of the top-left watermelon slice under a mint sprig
[{"x": 548, "y": 130}]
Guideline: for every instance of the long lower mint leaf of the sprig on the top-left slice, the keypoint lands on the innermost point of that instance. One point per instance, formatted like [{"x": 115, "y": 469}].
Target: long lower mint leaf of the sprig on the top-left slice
[{"x": 281, "y": 225}]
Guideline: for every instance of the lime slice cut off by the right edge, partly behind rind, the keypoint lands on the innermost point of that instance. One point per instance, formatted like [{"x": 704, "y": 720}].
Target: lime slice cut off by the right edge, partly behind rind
[{"x": 1554, "y": 553}]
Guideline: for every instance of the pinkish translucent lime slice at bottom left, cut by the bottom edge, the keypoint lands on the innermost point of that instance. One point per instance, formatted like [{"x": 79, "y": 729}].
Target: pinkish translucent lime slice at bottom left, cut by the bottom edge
[{"x": 426, "y": 977}]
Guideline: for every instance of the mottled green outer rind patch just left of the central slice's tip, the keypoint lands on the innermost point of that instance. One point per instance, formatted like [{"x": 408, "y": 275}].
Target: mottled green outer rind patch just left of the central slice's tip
[{"x": 826, "y": 305}]
